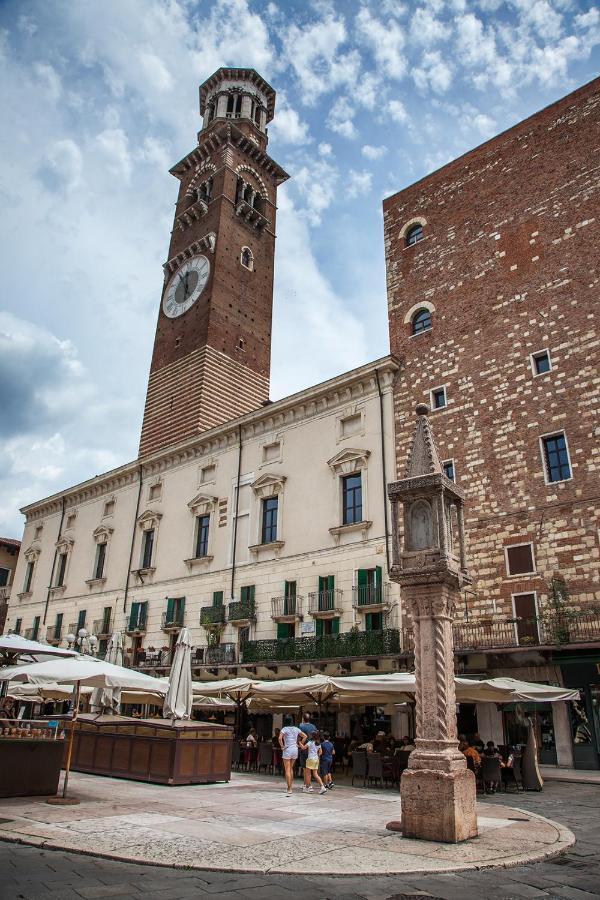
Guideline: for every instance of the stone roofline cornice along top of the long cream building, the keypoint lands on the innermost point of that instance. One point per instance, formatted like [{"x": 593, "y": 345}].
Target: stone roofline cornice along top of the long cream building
[{"x": 311, "y": 403}]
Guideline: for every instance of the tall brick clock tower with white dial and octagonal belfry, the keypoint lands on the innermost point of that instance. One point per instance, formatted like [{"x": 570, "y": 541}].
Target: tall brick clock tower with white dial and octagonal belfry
[{"x": 212, "y": 350}]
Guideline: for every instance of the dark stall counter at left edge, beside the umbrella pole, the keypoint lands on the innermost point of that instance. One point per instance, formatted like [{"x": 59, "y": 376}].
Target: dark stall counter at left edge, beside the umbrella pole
[{"x": 30, "y": 760}]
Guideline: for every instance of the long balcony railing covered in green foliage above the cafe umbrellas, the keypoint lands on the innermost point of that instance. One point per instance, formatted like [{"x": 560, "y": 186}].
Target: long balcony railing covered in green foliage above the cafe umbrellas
[{"x": 328, "y": 646}]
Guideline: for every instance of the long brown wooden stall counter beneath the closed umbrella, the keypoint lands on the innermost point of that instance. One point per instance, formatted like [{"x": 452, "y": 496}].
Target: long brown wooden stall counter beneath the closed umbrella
[{"x": 160, "y": 751}]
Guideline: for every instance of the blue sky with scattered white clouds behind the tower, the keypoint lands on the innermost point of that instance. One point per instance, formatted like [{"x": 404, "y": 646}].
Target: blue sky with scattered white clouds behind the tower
[{"x": 99, "y": 99}]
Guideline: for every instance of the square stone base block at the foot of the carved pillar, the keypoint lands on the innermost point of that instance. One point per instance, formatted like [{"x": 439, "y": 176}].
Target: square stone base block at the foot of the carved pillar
[{"x": 438, "y": 806}]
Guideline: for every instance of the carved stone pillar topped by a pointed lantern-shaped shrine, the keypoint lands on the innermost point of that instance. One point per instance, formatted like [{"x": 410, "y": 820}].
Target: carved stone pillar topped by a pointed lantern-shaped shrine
[{"x": 429, "y": 562}]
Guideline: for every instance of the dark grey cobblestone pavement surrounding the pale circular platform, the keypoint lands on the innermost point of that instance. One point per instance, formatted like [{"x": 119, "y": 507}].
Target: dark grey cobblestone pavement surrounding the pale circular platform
[{"x": 28, "y": 873}]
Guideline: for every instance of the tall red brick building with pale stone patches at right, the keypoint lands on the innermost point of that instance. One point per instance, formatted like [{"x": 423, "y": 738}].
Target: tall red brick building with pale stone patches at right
[{"x": 493, "y": 281}]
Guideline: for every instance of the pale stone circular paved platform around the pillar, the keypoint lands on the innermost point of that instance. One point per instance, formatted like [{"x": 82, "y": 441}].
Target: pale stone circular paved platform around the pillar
[{"x": 250, "y": 825}]
